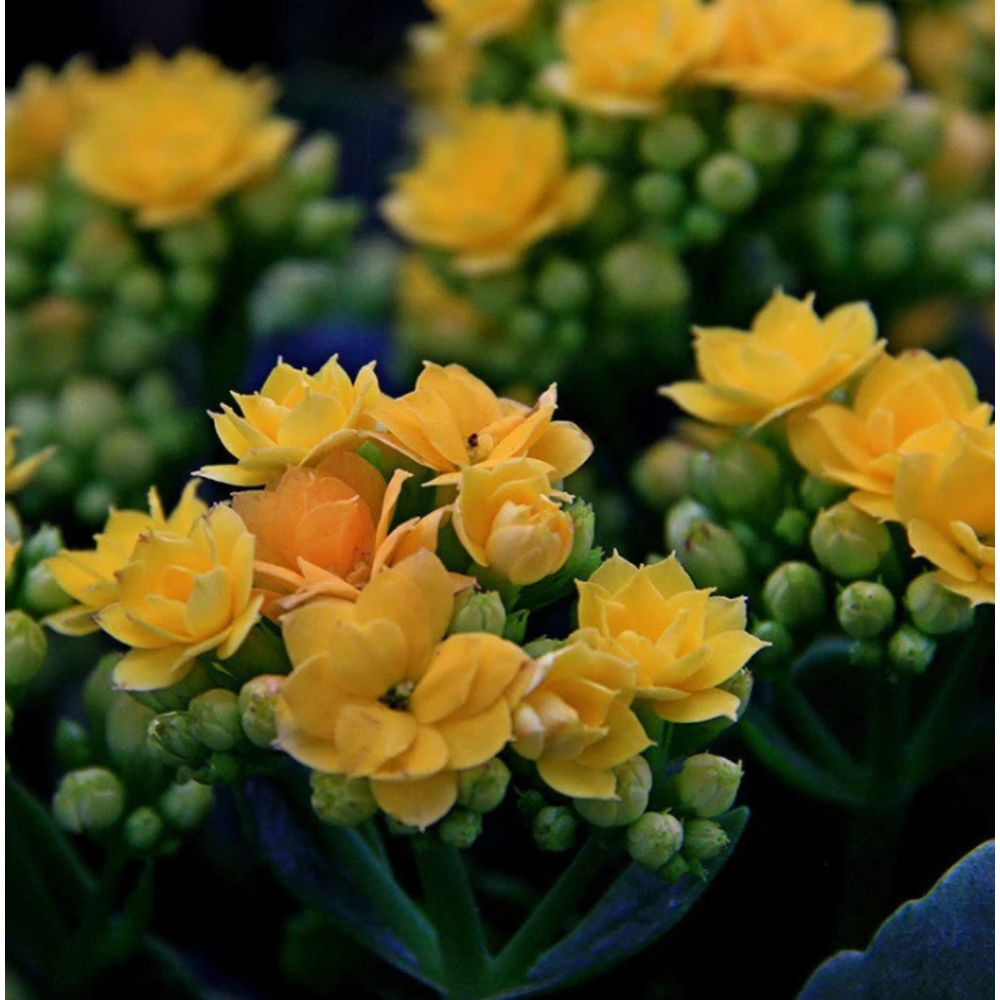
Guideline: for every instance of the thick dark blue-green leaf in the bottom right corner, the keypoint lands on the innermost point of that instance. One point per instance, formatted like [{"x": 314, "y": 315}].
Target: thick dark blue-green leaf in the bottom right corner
[{"x": 941, "y": 948}]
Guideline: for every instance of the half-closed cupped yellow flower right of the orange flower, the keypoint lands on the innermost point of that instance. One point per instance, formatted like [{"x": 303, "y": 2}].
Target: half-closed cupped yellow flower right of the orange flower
[{"x": 509, "y": 519}]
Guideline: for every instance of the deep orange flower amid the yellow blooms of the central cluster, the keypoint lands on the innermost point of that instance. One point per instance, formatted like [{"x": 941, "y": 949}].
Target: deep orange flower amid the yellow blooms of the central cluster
[{"x": 325, "y": 532}]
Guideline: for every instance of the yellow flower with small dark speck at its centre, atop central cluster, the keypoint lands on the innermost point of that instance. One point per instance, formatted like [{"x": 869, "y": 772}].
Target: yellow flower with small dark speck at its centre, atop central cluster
[{"x": 453, "y": 421}]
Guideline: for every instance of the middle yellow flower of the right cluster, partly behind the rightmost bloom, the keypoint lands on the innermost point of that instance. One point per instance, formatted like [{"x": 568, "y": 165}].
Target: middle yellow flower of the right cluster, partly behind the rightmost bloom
[{"x": 860, "y": 446}]
